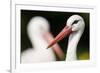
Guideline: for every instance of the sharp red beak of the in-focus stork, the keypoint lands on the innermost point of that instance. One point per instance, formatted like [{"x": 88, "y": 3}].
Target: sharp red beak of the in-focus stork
[{"x": 65, "y": 32}]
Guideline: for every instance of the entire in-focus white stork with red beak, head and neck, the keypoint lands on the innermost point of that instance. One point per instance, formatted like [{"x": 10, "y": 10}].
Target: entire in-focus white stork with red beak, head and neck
[{"x": 74, "y": 27}]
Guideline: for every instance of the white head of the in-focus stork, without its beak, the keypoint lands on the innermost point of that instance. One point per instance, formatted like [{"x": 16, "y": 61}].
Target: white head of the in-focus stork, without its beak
[{"x": 76, "y": 22}]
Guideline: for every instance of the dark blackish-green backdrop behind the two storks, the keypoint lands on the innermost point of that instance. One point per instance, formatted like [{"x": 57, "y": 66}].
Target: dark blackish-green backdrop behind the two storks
[{"x": 57, "y": 22}]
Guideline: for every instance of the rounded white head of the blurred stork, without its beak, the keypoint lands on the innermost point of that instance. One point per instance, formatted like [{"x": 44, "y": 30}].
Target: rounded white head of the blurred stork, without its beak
[{"x": 37, "y": 26}]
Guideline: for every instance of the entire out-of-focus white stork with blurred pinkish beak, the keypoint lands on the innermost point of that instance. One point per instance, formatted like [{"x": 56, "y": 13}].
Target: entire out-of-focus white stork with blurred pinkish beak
[{"x": 39, "y": 35}]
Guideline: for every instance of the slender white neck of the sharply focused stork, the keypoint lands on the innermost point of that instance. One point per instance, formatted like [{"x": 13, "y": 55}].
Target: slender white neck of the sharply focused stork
[{"x": 72, "y": 45}]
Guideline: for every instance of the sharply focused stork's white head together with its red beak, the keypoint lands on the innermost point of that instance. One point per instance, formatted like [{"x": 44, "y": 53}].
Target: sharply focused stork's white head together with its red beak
[{"x": 75, "y": 23}]
